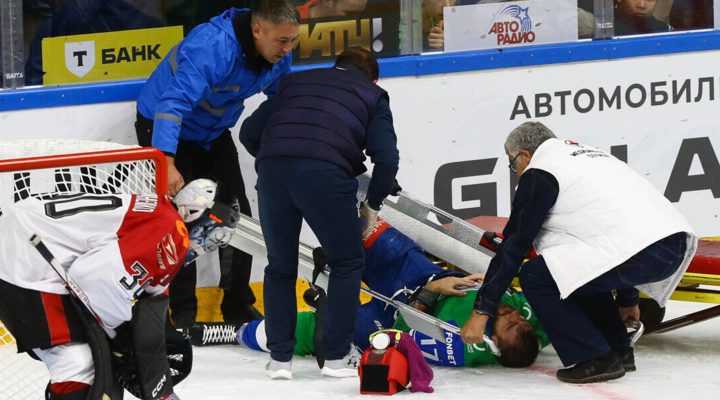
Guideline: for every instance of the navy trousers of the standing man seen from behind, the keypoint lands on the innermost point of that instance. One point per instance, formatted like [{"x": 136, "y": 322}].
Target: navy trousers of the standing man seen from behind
[{"x": 290, "y": 190}]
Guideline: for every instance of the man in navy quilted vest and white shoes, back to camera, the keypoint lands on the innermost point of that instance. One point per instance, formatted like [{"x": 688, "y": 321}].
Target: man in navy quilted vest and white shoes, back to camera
[{"x": 308, "y": 142}]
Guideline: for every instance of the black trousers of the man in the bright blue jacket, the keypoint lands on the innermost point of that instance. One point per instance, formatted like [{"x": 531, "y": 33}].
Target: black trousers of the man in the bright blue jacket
[{"x": 220, "y": 163}]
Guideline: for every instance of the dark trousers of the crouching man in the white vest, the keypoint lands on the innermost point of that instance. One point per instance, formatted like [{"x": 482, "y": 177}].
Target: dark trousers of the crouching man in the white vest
[{"x": 586, "y": 324}]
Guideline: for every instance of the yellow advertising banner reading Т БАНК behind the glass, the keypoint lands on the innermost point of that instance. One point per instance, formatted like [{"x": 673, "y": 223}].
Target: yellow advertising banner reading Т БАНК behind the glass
[{"x": 106, "y": 56}]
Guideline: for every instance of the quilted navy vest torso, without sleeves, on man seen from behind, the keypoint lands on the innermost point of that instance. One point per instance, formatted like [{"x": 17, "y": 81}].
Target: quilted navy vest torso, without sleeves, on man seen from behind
[{"x": 322, "y": 114}]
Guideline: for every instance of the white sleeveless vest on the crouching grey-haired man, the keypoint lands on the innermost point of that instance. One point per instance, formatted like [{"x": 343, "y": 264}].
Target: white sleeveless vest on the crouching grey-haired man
[{"x": 605, "y": 213}]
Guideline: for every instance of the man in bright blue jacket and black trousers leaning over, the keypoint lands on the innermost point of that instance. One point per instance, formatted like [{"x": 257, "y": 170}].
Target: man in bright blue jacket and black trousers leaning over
[{"x": 187, "y": 107}]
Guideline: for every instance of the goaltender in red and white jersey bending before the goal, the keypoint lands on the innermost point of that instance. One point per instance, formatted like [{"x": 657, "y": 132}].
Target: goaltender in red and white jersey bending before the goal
[{"x": 120, "y": 253}]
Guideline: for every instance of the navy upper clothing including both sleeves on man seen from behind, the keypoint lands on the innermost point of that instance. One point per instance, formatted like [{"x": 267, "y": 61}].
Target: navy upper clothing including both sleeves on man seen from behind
[{"x": 329, "y": 114}]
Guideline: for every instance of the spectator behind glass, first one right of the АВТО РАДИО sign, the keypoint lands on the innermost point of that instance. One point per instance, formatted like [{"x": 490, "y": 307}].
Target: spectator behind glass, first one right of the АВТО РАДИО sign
[{"x": 634, "y": 17}]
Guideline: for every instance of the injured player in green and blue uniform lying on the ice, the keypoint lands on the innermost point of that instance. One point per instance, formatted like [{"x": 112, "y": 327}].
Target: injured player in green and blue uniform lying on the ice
[{"x": 397, "y": 267}]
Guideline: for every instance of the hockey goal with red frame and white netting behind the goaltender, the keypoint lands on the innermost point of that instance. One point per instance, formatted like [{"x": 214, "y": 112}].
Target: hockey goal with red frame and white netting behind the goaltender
[{"x": 34, "y": 167}]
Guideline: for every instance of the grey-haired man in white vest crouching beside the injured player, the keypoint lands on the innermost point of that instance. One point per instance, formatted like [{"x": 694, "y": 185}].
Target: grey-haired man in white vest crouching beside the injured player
[{"x": 596, "y": 226}]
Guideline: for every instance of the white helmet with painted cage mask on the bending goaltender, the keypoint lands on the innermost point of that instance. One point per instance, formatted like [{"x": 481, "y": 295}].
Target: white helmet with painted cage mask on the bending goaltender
[{"x": 210, "y": 223}]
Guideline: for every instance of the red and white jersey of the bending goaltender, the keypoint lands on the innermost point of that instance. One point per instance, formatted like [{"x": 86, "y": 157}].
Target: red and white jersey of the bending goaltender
[{"x": 114, "y": 246}]
